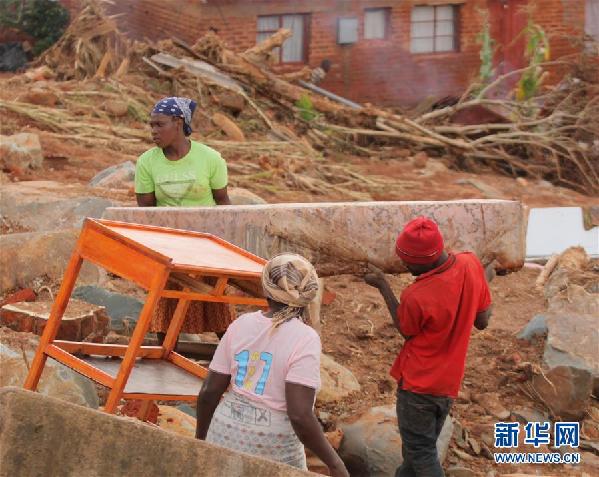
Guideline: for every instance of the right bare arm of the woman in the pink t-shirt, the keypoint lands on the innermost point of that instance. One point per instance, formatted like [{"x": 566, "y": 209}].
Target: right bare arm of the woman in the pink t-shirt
[{"x": 300, "y": 400}]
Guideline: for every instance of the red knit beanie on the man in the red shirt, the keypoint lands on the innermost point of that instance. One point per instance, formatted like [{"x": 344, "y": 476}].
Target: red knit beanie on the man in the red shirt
[{"x": 420, "y": 242}]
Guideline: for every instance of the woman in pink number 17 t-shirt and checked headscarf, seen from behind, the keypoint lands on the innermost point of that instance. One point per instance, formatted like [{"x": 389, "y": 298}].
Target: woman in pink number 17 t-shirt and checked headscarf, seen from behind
[{"x": 272, "y": 362}]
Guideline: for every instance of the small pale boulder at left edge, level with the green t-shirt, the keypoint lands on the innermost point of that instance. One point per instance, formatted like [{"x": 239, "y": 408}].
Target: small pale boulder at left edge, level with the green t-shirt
[{"x": 20, "y": 151}]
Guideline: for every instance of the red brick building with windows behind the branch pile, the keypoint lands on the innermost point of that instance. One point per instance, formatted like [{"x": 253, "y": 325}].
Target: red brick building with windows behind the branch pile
[{"x": 387, "y": 52}]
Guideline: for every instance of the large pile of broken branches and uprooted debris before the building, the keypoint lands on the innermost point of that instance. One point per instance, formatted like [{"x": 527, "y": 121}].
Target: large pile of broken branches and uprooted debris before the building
[{"x": 554, "y": 136}]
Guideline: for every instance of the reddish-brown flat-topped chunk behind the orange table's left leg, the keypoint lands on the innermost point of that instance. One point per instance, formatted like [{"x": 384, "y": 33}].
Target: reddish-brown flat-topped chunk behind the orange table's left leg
[{"x": 80, "y": 322}]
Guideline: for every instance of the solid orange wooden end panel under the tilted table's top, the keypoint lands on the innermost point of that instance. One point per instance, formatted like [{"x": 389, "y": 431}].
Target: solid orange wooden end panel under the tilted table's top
[{"x": 120, "y": 257}]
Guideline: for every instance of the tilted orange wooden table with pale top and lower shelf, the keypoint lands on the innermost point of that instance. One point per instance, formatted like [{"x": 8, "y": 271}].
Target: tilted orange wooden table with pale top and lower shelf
[{"x": 150, "y": 257}]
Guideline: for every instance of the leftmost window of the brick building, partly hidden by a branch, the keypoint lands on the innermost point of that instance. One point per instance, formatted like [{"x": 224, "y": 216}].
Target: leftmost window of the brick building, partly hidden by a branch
[{"x": 294, "y": 49}]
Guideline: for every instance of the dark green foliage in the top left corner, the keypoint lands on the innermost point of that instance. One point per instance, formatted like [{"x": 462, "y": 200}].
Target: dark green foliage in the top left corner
[{"x": 44, "y": 20}]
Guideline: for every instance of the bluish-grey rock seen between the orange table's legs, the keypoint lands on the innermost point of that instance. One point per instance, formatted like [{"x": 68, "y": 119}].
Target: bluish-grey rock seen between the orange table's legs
[{"x": 118, "y": 307}]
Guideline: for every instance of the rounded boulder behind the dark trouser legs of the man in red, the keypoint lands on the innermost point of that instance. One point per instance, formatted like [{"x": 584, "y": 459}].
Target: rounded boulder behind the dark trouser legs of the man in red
[{"x": 371, "y": 445}]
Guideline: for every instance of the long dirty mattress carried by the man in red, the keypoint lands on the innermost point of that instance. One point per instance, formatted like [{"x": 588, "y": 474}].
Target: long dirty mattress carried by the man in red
[{"x": 343, "y": 237}]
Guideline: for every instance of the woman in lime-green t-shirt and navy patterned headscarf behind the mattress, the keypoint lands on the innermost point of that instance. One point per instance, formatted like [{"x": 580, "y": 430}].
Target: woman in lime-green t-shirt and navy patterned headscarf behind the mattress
[{"x": 185, "y": 173}]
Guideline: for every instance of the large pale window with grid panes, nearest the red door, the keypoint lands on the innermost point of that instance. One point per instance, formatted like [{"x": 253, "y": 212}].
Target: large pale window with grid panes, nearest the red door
[{"x": 434, "y": 29}]
